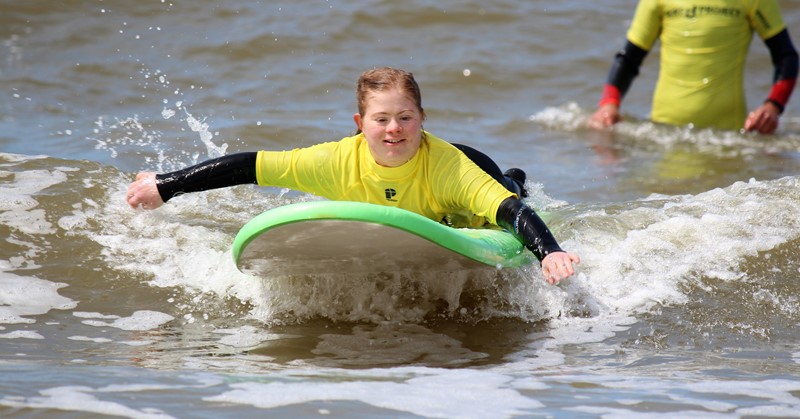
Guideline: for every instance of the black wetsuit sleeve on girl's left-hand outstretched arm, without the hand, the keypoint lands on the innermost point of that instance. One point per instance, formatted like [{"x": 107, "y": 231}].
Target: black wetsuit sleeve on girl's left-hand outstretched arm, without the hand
[{"x": 230, "y": 170}]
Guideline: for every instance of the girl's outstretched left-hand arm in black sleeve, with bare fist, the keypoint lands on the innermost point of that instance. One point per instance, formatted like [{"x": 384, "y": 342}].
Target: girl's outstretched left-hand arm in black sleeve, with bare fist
[{"x": 152, "y": 190}]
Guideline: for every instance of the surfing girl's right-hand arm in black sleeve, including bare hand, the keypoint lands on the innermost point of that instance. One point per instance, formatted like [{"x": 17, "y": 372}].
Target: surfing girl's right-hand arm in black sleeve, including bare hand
[{"x": 522, "y": 221}]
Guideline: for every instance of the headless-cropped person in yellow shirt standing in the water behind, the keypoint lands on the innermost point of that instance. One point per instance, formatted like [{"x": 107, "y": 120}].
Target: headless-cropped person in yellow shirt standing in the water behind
[{"x": 704, "y": 46}]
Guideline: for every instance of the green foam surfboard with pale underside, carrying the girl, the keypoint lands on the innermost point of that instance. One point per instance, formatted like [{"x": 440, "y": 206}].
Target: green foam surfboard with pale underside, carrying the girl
[{"x": 322, "y": 237}]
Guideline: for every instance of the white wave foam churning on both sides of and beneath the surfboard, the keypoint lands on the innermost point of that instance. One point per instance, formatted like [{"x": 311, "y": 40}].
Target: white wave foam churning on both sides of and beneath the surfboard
[{"x": 635, "y": 256}]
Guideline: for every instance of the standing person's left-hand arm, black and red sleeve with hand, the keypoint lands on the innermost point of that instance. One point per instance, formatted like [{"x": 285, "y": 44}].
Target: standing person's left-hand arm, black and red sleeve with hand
[{"x": 624, "y": 69}]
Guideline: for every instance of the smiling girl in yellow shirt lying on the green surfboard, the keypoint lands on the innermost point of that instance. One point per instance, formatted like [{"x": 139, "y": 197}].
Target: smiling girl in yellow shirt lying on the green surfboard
[{"x": 391, "y": 160}]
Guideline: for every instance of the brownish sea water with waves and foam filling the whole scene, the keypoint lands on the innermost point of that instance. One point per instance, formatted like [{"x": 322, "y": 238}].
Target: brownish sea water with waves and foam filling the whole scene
[{"x": 685, "y": 302}]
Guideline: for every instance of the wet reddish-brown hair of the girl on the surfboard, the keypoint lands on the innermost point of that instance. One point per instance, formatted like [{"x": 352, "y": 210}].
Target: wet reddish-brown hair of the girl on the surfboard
[{"x": 383, "y": 79}]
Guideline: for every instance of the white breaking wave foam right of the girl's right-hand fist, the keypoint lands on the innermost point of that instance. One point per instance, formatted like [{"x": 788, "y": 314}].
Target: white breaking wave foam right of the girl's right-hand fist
[{"x": 670, "y": 242}]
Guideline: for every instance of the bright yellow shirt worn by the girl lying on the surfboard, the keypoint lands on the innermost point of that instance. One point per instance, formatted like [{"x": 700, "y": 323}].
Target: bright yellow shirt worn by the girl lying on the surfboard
[{"x": 439, "y": 182}]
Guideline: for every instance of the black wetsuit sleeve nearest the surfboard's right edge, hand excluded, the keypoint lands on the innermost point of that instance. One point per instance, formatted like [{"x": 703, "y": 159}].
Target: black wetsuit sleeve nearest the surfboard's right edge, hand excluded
[{"x": 522, "y": 221}]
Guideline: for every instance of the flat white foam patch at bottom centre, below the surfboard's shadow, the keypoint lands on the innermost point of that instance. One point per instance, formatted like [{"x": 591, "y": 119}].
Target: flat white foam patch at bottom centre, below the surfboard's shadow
[{"x": 469, "y": 393}]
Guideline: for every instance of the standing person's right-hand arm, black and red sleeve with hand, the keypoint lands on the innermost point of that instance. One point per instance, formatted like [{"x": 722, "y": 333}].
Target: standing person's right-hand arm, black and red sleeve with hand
[{"x": 764, "y": 119}]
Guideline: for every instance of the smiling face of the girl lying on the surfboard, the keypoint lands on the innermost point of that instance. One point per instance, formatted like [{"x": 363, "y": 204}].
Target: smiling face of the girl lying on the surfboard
[{"x": 392, "y": 124}]
